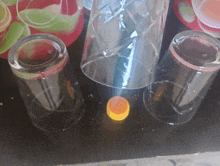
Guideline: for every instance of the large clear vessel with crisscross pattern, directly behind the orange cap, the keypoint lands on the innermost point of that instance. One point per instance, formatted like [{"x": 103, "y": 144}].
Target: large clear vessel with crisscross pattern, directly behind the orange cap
[{"x": 123, "y": 42}]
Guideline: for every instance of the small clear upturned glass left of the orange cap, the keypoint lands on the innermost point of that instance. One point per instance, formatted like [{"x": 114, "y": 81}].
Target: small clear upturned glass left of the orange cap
[{"x": 47, "y": 82}]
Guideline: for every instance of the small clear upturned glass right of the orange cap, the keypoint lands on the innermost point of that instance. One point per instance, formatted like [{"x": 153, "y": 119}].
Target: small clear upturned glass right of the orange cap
[{"x": 183, "y": 77}]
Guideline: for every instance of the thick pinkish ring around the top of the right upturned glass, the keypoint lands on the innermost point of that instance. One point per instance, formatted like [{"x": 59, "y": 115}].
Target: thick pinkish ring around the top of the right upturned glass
[{"x": 192, "y": 33}]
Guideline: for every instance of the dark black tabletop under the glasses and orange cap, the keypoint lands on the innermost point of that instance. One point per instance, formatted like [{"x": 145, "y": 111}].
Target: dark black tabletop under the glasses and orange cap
[{"x": 97, "y": 138}]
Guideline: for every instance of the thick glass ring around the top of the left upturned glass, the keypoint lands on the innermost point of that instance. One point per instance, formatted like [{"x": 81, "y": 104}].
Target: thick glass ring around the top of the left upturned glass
[{"x": 54, "y": 64}]
